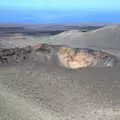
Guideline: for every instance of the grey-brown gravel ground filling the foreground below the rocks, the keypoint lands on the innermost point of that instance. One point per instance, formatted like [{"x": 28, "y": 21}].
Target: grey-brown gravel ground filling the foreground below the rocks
[{"x": 38, "y": 90}]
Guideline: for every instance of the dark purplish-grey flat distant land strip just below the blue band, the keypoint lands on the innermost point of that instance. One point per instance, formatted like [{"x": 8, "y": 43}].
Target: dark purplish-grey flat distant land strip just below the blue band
[{"x": 42, "y": 30}]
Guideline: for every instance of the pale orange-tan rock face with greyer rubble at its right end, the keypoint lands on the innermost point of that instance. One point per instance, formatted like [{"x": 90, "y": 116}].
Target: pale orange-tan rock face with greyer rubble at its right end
[{"x": 81, "y": 58}]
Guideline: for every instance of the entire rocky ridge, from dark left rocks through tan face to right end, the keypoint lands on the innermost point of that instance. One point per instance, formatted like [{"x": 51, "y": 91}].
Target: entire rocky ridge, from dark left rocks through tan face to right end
[{"x": 71, "y": 58}]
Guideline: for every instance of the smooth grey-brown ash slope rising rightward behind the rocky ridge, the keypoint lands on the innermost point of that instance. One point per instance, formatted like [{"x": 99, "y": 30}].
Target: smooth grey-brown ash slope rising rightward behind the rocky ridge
[{"x": 106, "y": 39}]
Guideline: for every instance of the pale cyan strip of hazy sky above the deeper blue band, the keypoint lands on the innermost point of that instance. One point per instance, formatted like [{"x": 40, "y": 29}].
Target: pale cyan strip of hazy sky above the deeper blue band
[{"x": 61, "y": 4}]
